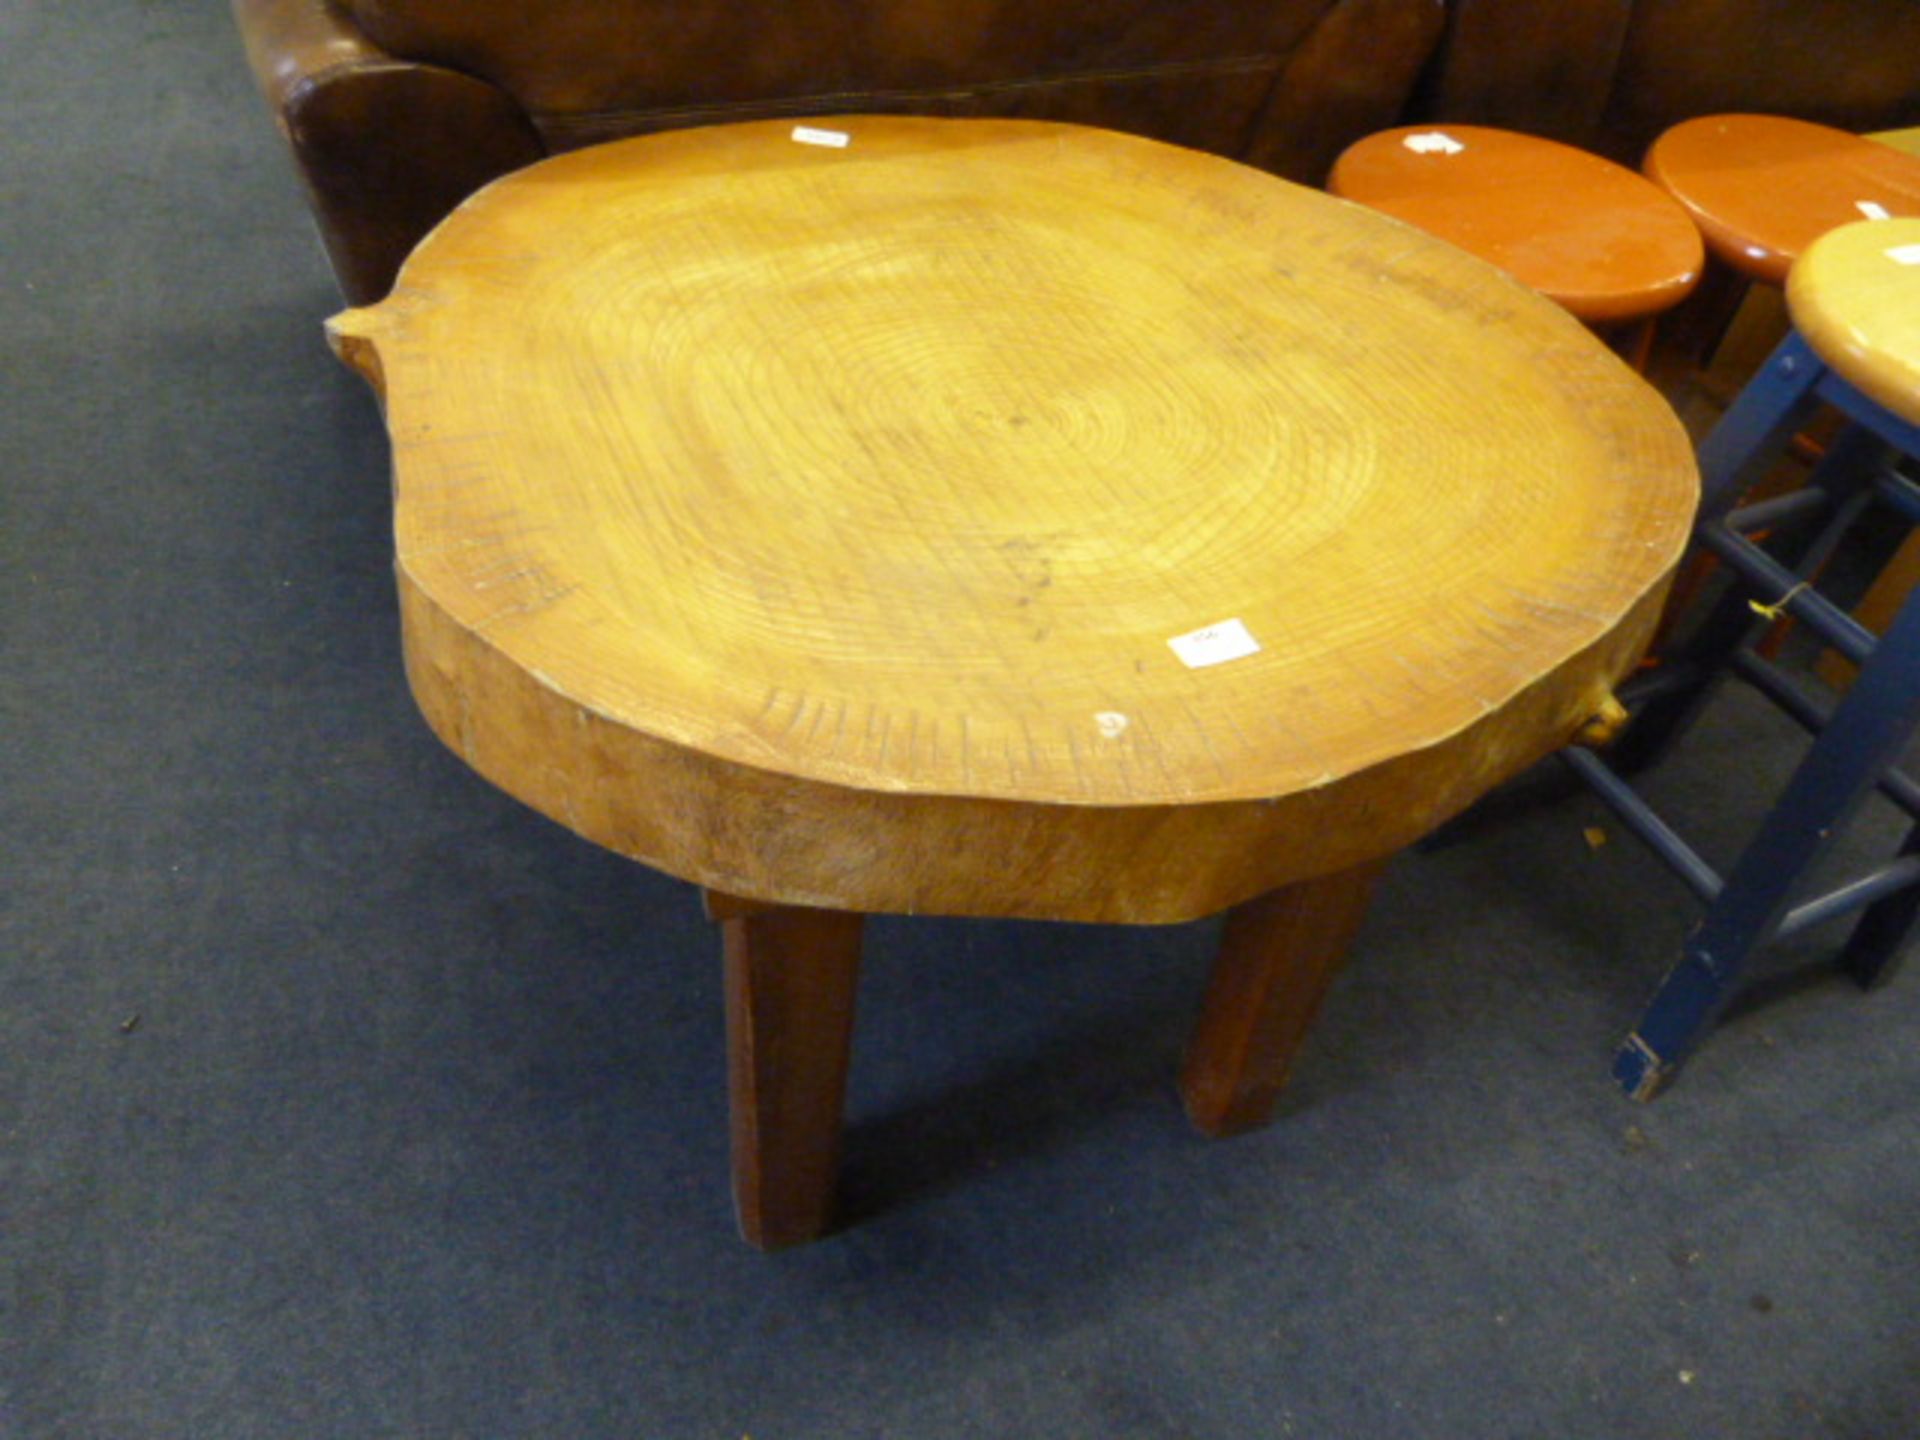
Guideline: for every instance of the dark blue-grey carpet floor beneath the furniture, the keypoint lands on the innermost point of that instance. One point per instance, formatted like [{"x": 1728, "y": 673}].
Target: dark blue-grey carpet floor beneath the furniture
[{"x": 345, "y": 1097}]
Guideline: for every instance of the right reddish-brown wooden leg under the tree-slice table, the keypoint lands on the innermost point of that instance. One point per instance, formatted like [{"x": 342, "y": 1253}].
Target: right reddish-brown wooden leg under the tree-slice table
[{"x": 1276, "y": 961}]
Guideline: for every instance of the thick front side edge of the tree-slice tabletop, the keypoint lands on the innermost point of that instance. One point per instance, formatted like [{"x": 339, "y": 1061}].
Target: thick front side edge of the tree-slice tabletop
[{"x": 773, "y": 838}]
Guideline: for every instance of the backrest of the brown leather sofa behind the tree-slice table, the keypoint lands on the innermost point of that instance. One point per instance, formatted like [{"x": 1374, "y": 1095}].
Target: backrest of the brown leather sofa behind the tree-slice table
[{"x": 1195, "y": 72}]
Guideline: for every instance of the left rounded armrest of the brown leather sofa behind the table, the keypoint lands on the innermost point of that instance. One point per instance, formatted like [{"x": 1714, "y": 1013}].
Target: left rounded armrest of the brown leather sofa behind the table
[{"x": 385, "y": 147}]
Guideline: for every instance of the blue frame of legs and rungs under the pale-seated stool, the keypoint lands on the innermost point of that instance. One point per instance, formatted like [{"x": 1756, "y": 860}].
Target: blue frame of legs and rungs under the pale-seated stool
[{"x": 1856, "y": 742}]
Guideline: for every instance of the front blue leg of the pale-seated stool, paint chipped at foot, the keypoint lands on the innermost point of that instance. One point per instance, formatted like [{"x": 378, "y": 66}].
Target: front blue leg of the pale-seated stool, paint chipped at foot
[{"x": 1858, "y": 746}]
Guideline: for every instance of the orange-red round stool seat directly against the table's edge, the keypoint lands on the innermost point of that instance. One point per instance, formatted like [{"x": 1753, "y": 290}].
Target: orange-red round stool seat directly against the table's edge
[{"x": 1579, "y": 229}]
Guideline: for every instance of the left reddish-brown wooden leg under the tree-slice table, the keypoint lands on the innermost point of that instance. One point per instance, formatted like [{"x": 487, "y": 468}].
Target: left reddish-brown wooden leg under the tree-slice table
[{"x": 790, "y": 999}]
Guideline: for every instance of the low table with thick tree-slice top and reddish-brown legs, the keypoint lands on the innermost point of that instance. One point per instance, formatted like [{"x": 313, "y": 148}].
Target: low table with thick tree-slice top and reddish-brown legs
[{"x": 997, "y": 519}]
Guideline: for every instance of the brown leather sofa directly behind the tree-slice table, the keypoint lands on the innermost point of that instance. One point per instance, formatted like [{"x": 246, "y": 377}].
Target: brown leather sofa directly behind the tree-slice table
[{"x": 400, "y": 108}]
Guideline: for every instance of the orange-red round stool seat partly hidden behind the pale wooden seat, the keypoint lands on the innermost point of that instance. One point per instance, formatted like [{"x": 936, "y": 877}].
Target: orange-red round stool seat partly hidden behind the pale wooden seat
[{"x": 1764, "y": 187}]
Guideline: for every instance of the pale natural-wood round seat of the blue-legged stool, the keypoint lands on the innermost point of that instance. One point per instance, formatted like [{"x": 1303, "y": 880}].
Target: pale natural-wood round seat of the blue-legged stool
[{"x": 1856, "y": 297}]
